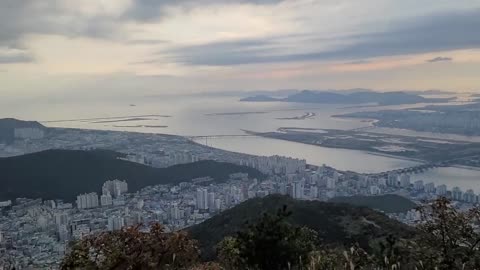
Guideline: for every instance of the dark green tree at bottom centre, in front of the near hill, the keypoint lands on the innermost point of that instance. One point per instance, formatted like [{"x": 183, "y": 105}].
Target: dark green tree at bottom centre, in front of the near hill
[{"x": 270, "y": 244}]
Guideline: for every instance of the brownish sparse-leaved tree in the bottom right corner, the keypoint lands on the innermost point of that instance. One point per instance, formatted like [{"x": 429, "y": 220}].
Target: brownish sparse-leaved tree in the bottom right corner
[{"x": 448, "y": 238}]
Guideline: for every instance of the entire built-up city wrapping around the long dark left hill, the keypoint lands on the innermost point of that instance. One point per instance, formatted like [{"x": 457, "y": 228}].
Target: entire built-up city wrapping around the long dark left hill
[{"x": 36, "y": 232}]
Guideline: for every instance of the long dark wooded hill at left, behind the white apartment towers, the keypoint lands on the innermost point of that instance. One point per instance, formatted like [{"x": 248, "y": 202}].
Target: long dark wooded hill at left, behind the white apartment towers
[{"x": 63, "y": 174}]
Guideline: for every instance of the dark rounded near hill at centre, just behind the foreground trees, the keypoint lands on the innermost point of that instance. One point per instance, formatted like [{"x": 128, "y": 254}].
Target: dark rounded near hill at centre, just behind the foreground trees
[{"x": 335, "y": 223}]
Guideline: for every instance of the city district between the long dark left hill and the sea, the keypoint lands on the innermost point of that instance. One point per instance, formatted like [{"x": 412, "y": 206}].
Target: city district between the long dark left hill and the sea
[{"x": 157, "y": 150}]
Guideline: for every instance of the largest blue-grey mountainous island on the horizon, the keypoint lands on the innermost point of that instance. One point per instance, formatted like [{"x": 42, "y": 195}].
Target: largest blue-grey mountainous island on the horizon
[{"x": 325, "y": 97}]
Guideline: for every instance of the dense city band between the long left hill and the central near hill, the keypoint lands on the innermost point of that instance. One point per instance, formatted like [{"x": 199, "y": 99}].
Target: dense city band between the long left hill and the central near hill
[{"x": 36, "y": 232}]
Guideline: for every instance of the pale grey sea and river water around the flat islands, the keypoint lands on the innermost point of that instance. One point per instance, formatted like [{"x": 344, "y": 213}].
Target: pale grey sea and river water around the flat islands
[{"x": 222, "y": 118}]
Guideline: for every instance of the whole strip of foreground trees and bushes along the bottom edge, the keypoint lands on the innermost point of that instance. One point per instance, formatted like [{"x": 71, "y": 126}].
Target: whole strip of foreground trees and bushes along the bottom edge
[{"x": 446, "y": 239}]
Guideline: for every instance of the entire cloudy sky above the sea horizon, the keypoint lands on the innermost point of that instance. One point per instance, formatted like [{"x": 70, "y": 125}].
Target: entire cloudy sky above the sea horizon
[{"x": 142, "y": 47}]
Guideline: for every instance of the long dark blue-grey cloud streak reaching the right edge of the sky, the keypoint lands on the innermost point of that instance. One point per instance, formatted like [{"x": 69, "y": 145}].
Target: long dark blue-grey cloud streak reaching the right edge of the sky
[{"x": 441, "y": 32}]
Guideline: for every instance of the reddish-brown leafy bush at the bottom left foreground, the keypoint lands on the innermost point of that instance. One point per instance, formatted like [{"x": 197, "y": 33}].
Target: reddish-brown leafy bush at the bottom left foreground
[{"x": 130, "y": 248}]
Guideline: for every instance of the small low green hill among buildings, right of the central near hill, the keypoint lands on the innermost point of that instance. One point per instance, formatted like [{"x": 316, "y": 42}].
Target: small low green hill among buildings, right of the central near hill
[{"x": 389, "y": 203}]
